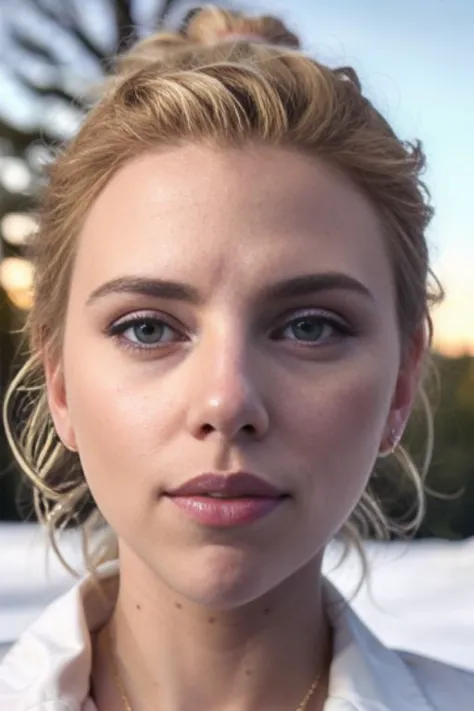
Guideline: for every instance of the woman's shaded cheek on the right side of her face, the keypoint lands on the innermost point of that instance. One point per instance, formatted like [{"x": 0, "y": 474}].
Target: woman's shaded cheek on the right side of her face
[{"x": 334, "y": 428}]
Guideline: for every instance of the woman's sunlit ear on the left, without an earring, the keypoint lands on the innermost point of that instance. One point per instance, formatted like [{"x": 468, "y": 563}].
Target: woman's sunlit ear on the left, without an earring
[{"x": 57, "y": 401}]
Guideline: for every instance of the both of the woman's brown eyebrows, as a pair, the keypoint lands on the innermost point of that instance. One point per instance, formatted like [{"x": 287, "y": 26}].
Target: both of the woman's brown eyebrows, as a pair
[{"x": 303, "y": 285}]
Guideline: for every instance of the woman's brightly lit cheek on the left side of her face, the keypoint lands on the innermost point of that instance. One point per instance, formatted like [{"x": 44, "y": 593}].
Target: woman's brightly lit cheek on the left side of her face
[{"x": 119, "y": 429}]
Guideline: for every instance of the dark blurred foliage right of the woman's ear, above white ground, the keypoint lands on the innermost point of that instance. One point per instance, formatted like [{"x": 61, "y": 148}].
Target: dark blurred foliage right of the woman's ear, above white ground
[{"x": 449, "y": 482}]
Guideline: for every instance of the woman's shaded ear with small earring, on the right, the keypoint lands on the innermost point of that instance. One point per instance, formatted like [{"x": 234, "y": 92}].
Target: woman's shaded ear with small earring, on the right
[{"x": 408, "y": 380}]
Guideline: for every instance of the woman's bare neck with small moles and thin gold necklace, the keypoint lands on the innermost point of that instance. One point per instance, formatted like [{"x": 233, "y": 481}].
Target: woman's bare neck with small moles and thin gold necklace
[{"x": 178, "y": 656}]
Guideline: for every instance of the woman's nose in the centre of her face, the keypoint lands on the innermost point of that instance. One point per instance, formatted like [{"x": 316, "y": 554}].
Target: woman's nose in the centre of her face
[{"x": 226, "y": 398}]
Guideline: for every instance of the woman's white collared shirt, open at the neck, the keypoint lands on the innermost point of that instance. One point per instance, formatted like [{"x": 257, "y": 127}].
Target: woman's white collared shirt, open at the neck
[{"x": 49, "y": 668}]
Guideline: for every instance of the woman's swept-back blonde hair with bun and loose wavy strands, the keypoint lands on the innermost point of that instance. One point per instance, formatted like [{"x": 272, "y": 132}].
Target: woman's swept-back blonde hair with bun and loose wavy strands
[{"x": 212, "y": 82}]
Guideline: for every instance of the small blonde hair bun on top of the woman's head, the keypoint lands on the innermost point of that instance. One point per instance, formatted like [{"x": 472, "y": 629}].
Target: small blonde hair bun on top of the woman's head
[{"x": 210, "y": 24}]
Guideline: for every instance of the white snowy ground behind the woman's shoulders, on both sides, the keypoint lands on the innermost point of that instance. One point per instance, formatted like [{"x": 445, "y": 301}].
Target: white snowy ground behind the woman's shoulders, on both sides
[{"x": 420, "y": 596}]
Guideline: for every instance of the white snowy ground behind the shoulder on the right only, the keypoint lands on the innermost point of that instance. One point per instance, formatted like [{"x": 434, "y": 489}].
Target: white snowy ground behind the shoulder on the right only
[{"x": 420, "y": 597}]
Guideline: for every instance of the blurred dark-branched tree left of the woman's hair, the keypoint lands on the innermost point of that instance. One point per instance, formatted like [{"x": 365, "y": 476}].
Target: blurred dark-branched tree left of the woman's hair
[{"x": 54, "y": 55}]
